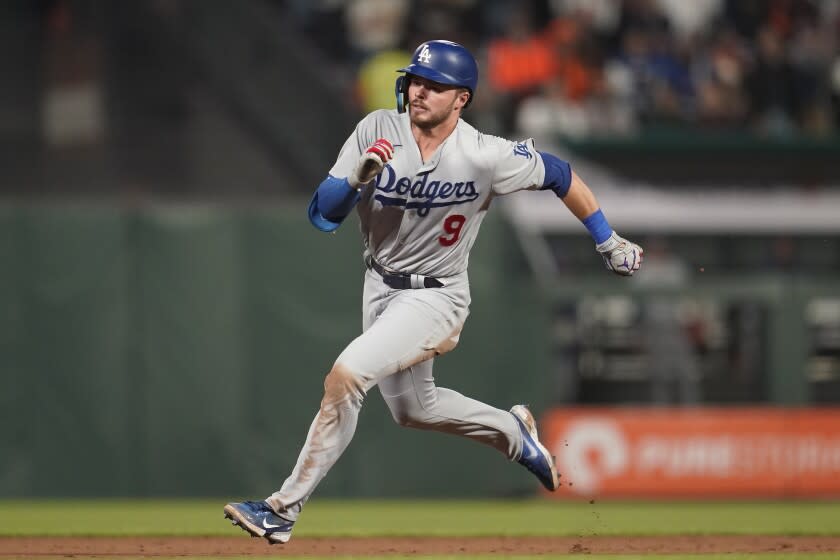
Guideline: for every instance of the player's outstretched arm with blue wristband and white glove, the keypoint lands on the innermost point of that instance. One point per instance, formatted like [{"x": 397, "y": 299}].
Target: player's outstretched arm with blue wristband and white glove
[{"x": 620, "y": 255}]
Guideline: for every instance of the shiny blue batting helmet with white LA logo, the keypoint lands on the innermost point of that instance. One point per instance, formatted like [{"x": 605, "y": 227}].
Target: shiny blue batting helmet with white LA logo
[{"x": 443, "y": 62}]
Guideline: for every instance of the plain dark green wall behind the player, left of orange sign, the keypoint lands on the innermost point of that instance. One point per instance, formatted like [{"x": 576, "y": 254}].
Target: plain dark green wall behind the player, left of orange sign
[{"x": 180, "y": 351}]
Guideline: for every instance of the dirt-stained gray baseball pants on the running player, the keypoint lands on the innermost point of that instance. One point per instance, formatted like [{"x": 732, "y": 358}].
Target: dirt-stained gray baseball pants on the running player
[{"x": 403, "y": 331}]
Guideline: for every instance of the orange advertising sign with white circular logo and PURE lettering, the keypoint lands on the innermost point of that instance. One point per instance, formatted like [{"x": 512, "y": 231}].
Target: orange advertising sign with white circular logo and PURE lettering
[{"x": 702, "y": 452}]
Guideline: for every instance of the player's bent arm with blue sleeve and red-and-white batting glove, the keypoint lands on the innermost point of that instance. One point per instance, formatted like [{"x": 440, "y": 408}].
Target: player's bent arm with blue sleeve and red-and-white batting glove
[{"x": 336, "y": 196}]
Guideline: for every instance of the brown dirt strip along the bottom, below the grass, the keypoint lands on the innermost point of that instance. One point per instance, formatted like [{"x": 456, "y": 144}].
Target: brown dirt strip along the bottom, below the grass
[{"x": 29, "y": 547}]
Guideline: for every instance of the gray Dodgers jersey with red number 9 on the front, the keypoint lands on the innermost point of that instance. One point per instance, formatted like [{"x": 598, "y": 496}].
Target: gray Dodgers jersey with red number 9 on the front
[{"x": 423, "y": 217}]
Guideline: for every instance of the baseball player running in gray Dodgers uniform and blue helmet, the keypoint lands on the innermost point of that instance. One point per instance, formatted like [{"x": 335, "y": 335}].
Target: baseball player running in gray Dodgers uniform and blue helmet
[{"x": 422, "y": 180}]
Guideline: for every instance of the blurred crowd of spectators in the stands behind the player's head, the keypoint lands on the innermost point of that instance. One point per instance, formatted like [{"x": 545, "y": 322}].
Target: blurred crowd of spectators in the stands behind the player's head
[{"x": 616, "y": 67}]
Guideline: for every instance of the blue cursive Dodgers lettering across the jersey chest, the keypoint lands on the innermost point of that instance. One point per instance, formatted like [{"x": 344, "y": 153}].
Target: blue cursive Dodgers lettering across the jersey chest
[{"x": 421, "y": 195}]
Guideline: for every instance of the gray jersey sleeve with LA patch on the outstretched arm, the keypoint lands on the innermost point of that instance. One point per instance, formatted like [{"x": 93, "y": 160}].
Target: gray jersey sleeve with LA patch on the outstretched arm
[{"x": 517, "y": 166}]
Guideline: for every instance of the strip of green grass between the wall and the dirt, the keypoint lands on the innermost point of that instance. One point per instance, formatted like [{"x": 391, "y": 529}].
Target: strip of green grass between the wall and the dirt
[{"x": 426, "y": 517}]
